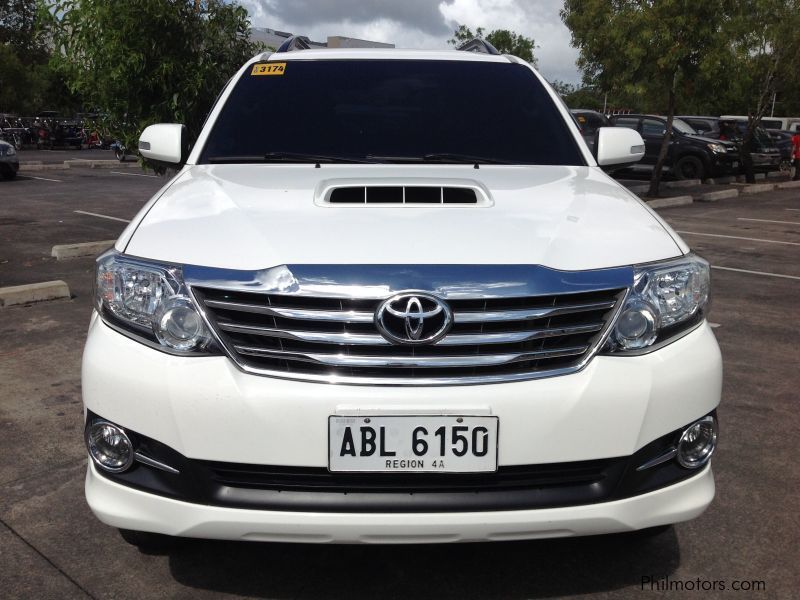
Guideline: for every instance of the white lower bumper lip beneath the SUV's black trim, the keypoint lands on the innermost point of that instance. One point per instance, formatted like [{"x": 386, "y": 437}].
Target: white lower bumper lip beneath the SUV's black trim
[{"x": 123, "y": 507}]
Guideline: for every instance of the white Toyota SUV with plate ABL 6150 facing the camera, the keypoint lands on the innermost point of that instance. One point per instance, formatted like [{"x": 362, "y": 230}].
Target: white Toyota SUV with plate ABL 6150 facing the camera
[{"x": 391, "y": 296}]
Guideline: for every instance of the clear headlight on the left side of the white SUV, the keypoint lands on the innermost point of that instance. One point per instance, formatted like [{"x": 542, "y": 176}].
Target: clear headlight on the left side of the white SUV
[{"x": 150, "y": 301}]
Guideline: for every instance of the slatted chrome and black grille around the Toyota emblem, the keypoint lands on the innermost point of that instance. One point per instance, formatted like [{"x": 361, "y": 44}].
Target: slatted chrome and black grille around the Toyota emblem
[{"x": 334, "y": 338}]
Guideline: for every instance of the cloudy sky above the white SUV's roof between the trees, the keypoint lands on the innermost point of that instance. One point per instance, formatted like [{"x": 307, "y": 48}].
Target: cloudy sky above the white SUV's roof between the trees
[{"x": 425, "y": 23}]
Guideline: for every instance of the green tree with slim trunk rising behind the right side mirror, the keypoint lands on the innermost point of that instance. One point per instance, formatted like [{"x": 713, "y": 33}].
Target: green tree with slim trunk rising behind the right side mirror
[{"x": 648, "y": 49}]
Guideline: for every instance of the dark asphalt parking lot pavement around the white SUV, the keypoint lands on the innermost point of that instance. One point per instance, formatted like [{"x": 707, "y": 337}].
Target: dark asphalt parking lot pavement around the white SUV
[{"x": 52, "y": 547}]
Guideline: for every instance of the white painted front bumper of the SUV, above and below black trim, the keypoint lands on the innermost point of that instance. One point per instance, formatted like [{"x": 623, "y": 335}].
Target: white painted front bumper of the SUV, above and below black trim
[{"x": 207, "y": 410}]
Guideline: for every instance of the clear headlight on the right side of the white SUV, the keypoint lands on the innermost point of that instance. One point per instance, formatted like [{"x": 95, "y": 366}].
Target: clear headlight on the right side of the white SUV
[{"x": 667, "y": 299}]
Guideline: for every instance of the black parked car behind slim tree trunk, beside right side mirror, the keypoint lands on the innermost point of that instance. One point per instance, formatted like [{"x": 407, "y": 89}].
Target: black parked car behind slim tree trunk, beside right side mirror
[{"x": 690, "y": 156}]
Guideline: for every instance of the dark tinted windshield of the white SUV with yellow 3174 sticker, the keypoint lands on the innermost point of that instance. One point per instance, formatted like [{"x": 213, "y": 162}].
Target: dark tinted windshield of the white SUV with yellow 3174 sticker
[{"x": 391, "y": 111}]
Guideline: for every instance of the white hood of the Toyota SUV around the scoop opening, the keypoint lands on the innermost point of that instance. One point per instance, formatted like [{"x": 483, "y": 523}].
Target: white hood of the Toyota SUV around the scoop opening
[{"x": 258, "y": 216}]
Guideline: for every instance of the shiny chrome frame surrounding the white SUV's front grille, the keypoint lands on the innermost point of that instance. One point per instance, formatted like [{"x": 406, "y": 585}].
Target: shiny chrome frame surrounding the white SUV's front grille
[{"x": 379, "y": 282}]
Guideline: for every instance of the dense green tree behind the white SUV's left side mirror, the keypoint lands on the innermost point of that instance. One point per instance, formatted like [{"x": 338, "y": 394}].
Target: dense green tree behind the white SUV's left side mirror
[{"x": 149, "y": 61}]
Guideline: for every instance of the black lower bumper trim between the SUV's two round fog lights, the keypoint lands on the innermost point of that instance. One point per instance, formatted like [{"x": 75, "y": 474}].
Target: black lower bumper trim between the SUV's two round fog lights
[{"x": 282, "y": 488}]
